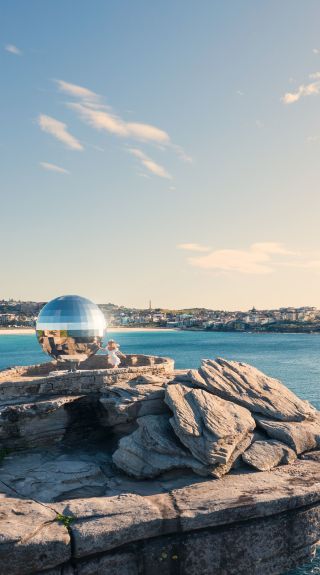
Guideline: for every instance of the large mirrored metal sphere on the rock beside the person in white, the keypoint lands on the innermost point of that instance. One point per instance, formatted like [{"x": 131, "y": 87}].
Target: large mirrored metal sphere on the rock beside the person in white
[{"x": 70, "y": 328}]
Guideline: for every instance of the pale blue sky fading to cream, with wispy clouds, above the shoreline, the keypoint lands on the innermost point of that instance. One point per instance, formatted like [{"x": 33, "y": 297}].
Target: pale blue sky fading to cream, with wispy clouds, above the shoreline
[{"x": 161, "y": 150}]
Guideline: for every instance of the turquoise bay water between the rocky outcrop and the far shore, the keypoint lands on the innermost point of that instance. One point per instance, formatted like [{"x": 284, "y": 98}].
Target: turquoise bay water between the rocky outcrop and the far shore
[{"x": 293, "y": 358}]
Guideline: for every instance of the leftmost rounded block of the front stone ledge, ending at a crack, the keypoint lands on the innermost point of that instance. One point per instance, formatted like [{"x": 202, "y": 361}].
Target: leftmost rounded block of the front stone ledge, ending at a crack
[{"x": 31, "y": 539}]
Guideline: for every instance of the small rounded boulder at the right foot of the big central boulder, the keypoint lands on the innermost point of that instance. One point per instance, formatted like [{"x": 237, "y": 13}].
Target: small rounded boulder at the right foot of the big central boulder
[{"x": 265, "y": 455}]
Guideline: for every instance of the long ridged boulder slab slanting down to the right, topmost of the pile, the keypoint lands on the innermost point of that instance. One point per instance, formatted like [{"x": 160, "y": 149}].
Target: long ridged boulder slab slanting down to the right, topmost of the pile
[{"x": 247, "y": 386}]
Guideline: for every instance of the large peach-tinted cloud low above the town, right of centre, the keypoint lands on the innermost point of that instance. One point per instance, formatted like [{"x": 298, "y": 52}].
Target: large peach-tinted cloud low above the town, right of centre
[{"x": 258, "y": 259}]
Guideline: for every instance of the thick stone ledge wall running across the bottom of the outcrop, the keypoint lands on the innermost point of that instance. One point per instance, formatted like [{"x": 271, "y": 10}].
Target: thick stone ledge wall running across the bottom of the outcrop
[{"x": 240, "y": 525}]
